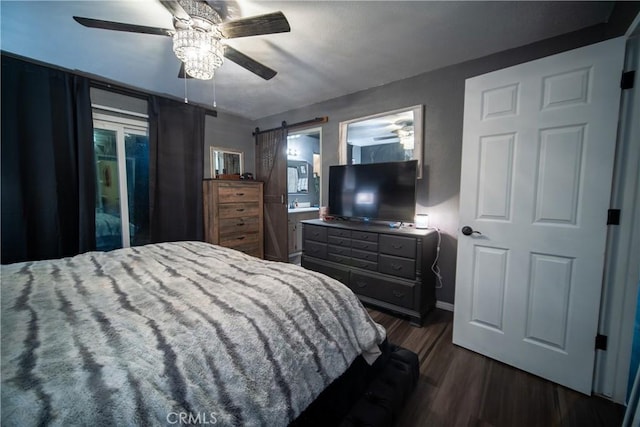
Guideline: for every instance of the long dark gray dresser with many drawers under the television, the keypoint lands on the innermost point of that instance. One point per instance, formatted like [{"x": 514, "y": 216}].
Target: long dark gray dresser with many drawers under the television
[{"x": 388, "y": 268}]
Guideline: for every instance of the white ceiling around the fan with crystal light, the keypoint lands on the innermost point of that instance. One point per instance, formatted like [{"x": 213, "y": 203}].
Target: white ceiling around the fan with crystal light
[{"x": 334, "y": 48}]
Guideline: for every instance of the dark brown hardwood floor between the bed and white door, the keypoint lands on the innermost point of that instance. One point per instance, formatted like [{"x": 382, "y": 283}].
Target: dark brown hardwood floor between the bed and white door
[{"x": 458, "y": 387}]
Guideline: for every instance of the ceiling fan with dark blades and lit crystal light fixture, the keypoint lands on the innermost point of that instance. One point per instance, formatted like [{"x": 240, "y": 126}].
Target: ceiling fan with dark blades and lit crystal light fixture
[{"x": 199, "y": 30}]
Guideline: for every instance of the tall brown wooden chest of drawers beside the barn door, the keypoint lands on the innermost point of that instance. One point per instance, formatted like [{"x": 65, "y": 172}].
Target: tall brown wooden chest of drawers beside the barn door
[{"x": 233, "y": 215}]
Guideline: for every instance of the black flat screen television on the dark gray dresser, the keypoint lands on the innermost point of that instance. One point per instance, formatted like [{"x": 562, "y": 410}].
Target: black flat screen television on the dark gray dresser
[{"x": 376, "y": 191}]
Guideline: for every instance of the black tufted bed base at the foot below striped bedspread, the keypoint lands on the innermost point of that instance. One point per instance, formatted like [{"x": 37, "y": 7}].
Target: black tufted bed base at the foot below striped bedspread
[{"x": 366, "y": 395}]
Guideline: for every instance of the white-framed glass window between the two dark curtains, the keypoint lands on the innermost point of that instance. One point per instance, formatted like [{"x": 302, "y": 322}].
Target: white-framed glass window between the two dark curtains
[{"x": 121, "y": 146}]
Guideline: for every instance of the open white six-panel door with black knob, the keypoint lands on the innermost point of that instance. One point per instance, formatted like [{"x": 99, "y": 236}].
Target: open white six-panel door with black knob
[{"x": 537, "y": 160}]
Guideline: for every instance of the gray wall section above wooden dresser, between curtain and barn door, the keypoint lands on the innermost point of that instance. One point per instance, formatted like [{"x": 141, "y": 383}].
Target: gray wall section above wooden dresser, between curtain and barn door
[{"x": 229, "y": 131}]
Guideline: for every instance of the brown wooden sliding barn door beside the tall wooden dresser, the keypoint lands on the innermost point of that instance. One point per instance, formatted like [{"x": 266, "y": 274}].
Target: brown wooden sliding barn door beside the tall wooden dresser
[{"x": 271, "y": 168}]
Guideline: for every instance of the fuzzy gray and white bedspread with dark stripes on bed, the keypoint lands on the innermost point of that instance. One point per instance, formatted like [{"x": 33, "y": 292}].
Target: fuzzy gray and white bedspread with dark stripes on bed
[{"x": 172, "y": 334}]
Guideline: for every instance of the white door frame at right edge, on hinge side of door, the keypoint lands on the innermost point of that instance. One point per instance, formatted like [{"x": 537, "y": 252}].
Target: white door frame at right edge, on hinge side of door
[{"x": 622, "y": 267}]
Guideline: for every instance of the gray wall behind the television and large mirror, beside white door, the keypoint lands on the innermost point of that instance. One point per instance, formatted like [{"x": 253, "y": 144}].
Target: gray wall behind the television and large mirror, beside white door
[{"x": 442, "y": 94}]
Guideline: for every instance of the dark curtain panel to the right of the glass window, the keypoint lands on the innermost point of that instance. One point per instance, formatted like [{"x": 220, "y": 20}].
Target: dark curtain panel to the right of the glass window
[{"x": 176, "y": 138}]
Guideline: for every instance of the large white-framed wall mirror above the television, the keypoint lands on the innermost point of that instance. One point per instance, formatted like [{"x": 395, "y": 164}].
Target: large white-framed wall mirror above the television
[{"x": 385, "y": 137}]
